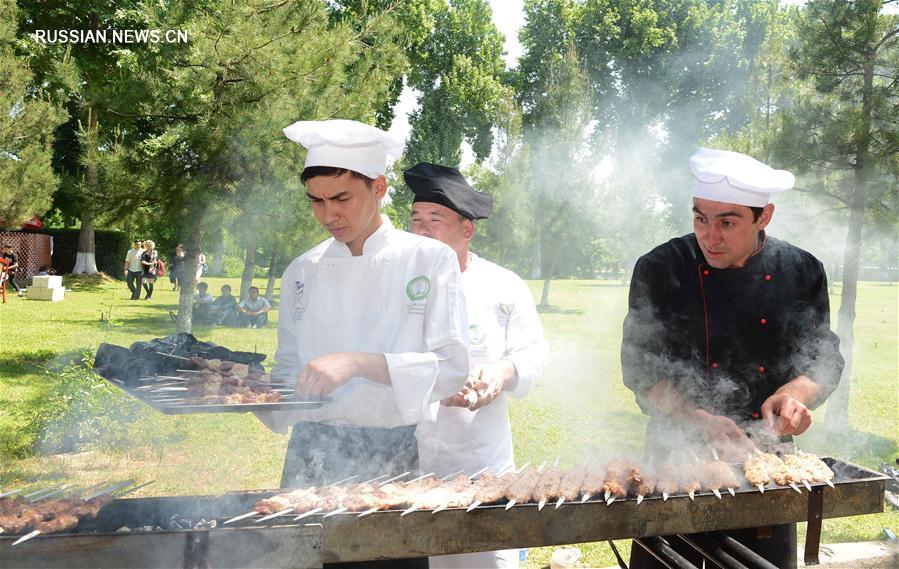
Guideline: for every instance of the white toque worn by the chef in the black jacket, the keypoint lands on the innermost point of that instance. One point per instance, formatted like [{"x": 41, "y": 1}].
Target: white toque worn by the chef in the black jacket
[{"x": 731, "y": 177}]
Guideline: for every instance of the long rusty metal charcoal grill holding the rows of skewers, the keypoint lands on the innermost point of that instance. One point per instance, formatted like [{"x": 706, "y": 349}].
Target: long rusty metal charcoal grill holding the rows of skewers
[{"x": 189, "y": 531}]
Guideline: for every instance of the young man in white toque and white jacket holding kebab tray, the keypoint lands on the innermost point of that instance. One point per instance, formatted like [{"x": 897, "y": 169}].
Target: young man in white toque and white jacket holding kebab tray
[{"x": 373, "y": 318}]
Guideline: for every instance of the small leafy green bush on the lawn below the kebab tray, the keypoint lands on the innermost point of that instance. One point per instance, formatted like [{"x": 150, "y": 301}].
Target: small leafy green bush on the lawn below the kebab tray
[{"x": 84, "y": 412}]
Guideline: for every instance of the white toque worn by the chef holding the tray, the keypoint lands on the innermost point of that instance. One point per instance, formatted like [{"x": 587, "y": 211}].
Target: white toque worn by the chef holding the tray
[{"x": 347, "y": 144}]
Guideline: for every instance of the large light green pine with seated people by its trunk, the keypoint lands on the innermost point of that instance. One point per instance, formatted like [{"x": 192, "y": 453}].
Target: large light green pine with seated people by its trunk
[{"x": 250, "y": 69}]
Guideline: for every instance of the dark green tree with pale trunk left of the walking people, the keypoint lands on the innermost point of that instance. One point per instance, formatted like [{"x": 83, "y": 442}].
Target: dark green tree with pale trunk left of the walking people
[{"x": 90, "y": 79}]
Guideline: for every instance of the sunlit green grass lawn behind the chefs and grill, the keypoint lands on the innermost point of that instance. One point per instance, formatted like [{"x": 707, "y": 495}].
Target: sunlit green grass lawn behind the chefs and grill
[{"x": 579, "y": 409}]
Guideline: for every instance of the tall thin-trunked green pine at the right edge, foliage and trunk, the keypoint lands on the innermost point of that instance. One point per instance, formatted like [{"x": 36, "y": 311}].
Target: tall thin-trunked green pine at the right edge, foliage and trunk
[{"x": 845, "y": 134}]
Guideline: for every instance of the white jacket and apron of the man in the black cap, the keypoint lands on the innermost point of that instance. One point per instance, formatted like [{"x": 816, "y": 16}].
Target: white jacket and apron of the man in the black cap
[{"x": 503, "y": 324}]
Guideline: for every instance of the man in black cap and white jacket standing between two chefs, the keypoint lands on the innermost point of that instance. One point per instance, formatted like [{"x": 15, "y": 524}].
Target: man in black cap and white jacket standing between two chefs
[{"x": 506, "y": 351}]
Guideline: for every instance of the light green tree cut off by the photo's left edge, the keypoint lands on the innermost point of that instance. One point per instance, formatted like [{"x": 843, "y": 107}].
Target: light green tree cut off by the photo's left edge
[{"x": 27, "y": 122}]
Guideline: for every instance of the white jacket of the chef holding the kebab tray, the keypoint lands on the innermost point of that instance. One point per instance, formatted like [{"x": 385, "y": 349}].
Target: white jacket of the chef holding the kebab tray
[{"x": 403, "y": 298}]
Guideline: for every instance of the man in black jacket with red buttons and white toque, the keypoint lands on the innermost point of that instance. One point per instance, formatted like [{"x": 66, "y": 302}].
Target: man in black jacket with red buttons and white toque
[{"x": 728, "y": 325}]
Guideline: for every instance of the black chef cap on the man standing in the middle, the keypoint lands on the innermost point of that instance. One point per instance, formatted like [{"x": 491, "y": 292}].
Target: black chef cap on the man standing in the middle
[{"x": 433, "y": 183}]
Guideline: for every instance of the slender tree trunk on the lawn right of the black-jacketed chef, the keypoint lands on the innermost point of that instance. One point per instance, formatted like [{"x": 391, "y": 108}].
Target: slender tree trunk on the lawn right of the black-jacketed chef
[{"x": 838, "y": 406}]
